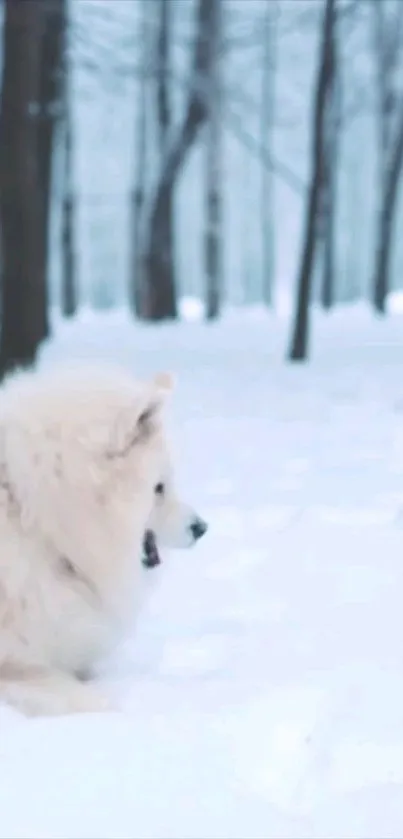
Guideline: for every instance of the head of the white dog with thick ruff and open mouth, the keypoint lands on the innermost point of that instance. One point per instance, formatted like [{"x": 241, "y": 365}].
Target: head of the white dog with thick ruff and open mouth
[{"x": 89, "y": 461}]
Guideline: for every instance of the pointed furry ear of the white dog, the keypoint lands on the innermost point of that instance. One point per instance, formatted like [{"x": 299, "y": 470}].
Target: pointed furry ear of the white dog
[{"x": 139, "y": 422}]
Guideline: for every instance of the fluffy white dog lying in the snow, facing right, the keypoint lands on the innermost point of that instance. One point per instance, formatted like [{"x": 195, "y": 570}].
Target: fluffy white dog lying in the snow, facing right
[{"x": 85, "y": 487}]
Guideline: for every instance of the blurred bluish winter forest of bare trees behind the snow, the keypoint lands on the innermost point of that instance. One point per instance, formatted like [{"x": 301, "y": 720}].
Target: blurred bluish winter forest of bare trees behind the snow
[{"x": 178, "y": 157}]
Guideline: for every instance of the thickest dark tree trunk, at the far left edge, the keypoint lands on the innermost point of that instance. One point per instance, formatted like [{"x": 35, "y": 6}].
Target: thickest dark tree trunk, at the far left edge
[{"x": 24, "y": 292}]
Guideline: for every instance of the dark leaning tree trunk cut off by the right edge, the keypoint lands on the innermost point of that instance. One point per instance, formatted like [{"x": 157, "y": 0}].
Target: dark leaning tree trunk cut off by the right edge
[{"x": 386, "y": 222}]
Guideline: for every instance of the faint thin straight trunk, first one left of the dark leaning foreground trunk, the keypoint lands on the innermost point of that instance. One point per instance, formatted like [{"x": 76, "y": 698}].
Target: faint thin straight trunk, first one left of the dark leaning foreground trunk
[{"x": 267, "y": 126}]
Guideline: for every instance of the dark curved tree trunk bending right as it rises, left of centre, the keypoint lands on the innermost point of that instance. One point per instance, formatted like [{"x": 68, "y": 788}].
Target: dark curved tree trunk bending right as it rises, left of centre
[{"x": 160, "y": 290}]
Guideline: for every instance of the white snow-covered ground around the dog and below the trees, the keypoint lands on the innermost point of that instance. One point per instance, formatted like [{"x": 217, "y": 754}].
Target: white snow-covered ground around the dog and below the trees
[{"x": 262, "y": 695}]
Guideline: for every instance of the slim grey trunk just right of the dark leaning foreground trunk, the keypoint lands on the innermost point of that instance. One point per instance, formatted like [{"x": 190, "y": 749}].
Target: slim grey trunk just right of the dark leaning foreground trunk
[{"x": 333, "y": 124}]
